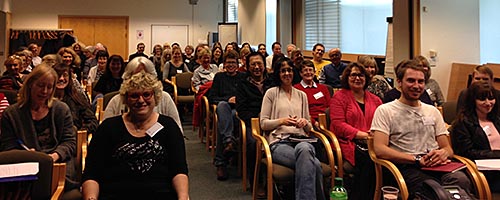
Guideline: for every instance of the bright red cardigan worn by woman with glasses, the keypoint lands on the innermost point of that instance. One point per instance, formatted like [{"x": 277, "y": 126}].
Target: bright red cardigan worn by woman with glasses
[{"x": 347, "y": 118}]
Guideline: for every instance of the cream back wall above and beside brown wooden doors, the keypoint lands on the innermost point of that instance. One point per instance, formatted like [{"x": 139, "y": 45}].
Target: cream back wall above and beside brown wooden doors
[{"x": 29, "y": 14}]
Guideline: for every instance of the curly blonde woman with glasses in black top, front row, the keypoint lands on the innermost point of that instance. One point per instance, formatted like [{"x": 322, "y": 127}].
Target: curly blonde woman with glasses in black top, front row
[{"x": 140, "y": 154}]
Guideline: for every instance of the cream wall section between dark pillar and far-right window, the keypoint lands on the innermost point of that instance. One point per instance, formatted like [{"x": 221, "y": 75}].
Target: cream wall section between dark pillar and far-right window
[{"x": 451, "y": 27}]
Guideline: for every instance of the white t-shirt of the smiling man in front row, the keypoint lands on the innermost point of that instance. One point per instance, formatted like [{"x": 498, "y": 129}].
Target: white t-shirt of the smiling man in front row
[{"x": 411, "y": 130}]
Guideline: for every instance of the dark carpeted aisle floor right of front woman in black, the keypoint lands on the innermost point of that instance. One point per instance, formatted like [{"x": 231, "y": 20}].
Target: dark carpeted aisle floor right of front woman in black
[{"x": 203, "y": 183}]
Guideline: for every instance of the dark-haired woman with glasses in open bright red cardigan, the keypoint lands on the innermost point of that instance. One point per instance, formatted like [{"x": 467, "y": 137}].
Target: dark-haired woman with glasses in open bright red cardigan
[{"x": 351, "y": 114}]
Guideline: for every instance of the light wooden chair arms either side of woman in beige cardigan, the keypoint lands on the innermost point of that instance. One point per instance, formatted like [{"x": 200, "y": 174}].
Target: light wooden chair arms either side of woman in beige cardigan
[{"x": 263, "y": 149}]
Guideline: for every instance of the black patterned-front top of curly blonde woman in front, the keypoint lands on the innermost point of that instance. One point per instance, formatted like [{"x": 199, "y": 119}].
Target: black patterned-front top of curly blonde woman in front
[{"x": 127, "y": 167}]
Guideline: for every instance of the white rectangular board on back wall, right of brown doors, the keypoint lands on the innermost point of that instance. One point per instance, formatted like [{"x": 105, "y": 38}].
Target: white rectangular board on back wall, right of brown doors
[{"x": 161, "y": 33}]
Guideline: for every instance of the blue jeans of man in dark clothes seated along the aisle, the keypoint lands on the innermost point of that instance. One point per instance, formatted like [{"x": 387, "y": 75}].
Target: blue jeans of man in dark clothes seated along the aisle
[{"x": 225, "y": 131}]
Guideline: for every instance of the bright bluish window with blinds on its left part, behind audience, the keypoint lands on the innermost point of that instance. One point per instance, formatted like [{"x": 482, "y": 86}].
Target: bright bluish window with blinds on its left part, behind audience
[{"x": 355, "y": 26}]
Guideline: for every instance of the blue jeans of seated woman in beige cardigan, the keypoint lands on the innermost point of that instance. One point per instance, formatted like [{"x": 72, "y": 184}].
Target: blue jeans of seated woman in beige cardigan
[{"x": 308, "y": 173}]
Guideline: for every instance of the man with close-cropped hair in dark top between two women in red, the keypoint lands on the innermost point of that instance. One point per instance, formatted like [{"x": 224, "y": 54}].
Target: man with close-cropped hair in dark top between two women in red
[{"x": 330, "y": 74}]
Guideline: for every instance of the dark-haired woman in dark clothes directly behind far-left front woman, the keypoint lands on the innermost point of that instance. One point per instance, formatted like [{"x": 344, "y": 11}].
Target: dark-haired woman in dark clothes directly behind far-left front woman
[{"x": 83, "y": 116}]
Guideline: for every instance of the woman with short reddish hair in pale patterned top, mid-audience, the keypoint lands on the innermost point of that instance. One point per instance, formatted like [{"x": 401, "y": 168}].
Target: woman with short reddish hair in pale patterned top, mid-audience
[{"x": 206, "y": 72}]
